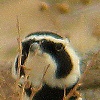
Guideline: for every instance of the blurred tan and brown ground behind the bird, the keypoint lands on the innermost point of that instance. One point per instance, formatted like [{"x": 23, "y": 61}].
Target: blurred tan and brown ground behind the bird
[{"x": 79, "y": 20}]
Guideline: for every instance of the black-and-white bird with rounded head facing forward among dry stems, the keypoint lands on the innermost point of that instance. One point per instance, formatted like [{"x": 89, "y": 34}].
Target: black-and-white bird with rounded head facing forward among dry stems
[{"x": 48, "y": 49}]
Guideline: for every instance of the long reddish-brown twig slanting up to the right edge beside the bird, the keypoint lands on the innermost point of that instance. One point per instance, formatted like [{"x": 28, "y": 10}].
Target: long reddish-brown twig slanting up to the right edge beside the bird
[{"x": 91, "y": 63}]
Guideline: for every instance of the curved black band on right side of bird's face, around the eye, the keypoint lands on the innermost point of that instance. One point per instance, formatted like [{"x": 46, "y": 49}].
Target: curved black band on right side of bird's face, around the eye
[{"x": 60, "y": 57}]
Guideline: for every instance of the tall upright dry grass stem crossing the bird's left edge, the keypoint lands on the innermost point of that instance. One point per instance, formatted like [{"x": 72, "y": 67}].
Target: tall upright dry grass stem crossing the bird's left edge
[{"x": 19, "y": 64}]
